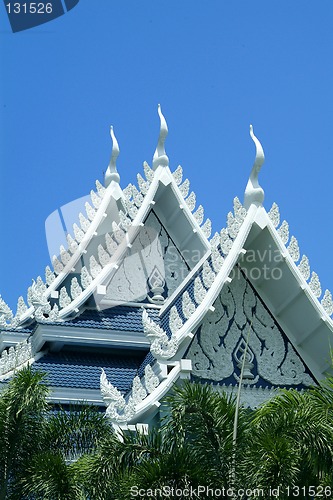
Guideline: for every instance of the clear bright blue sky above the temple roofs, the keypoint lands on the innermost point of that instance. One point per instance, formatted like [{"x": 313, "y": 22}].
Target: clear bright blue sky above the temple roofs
[{"x": 215, "y": 67}]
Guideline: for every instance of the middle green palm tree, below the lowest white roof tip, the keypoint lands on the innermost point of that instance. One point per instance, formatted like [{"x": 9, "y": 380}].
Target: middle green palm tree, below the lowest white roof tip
[{"x": 193, "y": 447}]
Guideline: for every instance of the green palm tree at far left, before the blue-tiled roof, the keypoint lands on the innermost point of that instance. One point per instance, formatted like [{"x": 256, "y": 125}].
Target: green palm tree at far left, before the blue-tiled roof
[{"x": 38, "y": 445}]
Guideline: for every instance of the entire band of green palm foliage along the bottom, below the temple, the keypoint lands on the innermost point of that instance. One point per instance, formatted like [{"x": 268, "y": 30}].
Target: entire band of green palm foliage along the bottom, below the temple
[{"x": 286, "y": 443}]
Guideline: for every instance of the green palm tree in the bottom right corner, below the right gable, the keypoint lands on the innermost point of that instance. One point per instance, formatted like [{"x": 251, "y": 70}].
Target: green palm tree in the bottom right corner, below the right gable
[{"x": 291, "y": 443}]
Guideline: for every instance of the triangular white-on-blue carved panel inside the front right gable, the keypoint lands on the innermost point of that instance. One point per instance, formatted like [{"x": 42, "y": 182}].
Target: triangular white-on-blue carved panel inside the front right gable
[{"x": 218, "y": 347}]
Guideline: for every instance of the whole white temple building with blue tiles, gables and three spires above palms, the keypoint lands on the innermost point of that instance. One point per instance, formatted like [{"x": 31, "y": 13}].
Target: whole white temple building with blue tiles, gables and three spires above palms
[{"x": 143, "y": 297}]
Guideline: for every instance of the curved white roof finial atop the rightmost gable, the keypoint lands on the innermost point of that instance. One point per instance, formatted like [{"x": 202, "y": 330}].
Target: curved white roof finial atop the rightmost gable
[{"x": 254, "y": 194}]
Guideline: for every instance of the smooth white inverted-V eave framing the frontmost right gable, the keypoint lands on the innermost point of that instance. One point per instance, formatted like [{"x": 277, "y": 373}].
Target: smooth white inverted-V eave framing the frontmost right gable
[{"x": 258, "y": 219}]
